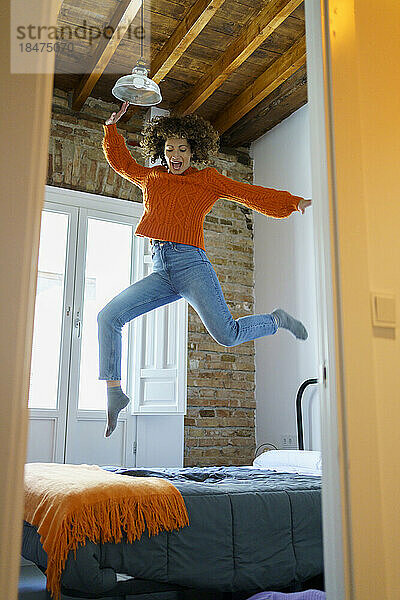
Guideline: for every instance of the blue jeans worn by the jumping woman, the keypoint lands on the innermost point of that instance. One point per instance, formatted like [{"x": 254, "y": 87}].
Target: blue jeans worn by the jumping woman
[{"x": 179, "y": 271}]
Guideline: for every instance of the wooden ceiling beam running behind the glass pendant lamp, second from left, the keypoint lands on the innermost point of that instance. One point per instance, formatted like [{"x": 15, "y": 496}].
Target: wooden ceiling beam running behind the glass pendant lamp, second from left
[{"x": 186, "y": 32}]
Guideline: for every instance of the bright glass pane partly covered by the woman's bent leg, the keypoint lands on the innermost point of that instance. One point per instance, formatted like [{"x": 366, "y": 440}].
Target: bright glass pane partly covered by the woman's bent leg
[{"x": 108, "y": 272}]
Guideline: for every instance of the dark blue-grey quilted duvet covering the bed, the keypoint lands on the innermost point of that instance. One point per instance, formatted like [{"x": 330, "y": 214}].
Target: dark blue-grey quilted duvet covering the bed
[{"x": 250, "y": 529}]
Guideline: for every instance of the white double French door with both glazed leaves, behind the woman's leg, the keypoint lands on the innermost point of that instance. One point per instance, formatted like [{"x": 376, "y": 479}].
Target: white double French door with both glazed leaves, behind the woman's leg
[{"x": 86, "y": 257}]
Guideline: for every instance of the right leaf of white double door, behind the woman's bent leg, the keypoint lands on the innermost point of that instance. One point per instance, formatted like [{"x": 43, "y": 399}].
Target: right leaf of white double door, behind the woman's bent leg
[{"x": 103, "y": 269}]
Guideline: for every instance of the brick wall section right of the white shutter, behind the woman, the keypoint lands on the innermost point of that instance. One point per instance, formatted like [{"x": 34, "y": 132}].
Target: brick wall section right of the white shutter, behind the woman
[{"x": 219, "y": 426}]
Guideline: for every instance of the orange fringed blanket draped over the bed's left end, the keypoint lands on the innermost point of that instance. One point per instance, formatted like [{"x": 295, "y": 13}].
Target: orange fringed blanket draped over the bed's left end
[{"x": 71, "y": 503}]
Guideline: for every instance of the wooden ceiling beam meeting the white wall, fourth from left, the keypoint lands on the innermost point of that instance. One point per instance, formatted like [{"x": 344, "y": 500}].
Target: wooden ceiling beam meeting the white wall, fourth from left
[{"x": 277, "y": 73}]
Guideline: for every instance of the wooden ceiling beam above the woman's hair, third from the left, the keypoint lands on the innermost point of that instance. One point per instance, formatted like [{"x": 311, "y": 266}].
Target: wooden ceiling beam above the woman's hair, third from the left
[{"x": 254, "y": 34}]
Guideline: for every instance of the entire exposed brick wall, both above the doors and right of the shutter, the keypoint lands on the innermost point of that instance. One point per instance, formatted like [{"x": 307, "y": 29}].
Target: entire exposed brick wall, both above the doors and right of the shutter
[{"x": 219, "y": 426}]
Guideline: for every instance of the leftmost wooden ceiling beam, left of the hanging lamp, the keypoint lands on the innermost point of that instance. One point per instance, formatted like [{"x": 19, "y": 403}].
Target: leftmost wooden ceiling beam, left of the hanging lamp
[{"x": 121, "y": 19}]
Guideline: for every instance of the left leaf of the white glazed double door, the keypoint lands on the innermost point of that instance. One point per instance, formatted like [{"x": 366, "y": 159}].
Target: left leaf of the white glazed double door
[{"x": 51, "y": 335}]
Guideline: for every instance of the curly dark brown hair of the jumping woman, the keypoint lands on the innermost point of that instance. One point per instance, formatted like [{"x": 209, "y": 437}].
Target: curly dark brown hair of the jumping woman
[{"x": 203, "y": 139}]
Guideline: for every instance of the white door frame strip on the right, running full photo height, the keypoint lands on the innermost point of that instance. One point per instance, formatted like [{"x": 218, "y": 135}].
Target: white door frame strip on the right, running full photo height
[{"x": 333, "y": 492}]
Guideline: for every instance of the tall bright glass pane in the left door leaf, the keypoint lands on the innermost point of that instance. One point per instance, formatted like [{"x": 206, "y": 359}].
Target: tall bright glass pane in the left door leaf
[{"x": 46, "y": 345}]
